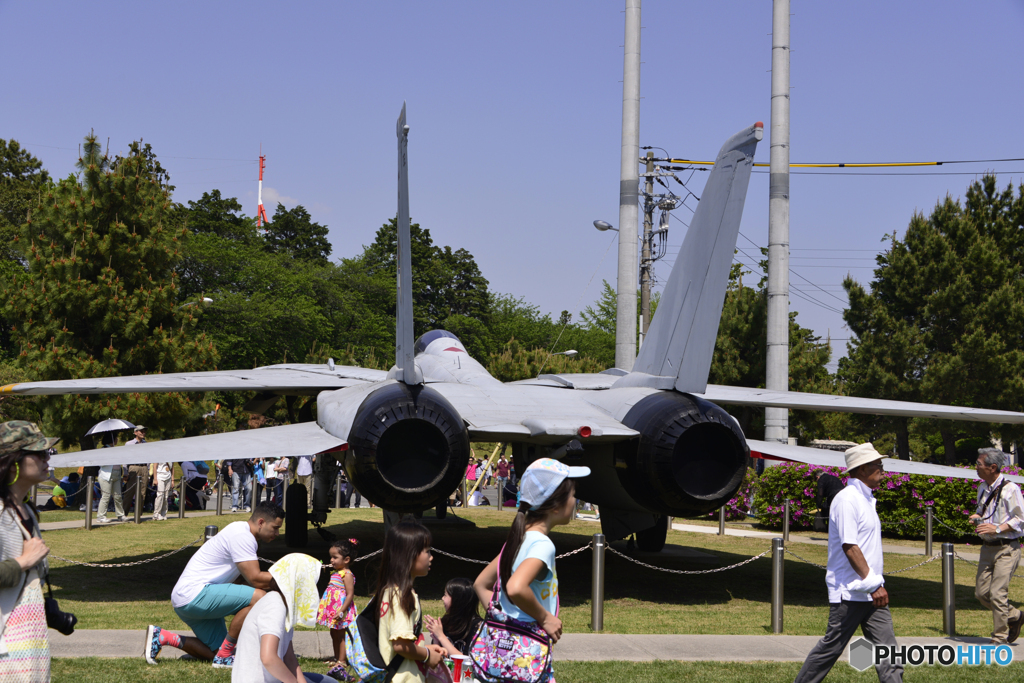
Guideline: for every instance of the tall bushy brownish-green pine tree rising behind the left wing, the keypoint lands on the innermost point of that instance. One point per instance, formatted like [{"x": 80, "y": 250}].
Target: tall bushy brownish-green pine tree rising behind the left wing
[{"x": 100, "y": 297}]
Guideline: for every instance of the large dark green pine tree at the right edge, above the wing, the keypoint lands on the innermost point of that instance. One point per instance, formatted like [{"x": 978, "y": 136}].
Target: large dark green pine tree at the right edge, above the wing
[{"x": 945, "y": 320}]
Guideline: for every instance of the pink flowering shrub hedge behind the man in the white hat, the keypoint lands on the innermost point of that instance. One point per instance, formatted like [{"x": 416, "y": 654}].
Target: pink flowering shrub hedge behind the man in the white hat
[{"x": 903, "y": 499}]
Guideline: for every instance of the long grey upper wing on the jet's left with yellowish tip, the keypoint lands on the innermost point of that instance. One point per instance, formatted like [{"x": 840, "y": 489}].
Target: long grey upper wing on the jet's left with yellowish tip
[{"x": 290, "y": 378}]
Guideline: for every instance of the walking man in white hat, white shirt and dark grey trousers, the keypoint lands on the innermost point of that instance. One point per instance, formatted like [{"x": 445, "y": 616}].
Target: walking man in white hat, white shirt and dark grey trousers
[{"x": 857, "y": 594}]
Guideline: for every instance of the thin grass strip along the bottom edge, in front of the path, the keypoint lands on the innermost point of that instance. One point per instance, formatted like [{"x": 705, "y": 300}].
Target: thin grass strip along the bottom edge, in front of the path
[{"x": 102, "y": 671}]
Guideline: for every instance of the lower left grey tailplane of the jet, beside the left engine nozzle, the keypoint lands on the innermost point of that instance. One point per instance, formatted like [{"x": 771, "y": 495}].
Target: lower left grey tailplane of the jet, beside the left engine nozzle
[{"x": 302, "y": 440}]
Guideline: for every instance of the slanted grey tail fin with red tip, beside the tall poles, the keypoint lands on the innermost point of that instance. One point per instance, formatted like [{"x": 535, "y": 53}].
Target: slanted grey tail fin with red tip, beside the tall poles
[{"x": 681, "y": 338}]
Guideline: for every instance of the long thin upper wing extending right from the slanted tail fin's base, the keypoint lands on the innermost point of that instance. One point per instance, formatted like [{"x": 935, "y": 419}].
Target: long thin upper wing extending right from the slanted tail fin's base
[{"x": 816, "y": 402}]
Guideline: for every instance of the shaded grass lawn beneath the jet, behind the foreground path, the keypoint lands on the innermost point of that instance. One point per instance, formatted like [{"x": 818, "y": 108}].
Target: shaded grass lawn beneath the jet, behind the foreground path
[{"x": 637, "y": 600}]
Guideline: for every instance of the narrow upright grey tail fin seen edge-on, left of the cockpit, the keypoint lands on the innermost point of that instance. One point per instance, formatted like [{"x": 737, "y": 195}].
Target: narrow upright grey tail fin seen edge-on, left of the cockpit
[{"x": 405, "y": 355}]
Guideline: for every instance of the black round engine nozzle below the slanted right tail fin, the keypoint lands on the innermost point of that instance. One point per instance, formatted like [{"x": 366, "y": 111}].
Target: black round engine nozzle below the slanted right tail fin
[{"x": 691, "y": 457}]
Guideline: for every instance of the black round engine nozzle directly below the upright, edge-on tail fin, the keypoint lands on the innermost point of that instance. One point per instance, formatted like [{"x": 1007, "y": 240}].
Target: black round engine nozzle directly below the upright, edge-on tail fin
[{"x": 409, "y": 448}]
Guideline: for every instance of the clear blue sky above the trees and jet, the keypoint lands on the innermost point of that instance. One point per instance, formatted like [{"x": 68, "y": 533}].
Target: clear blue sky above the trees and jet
[{"x": 516, "y": 114}]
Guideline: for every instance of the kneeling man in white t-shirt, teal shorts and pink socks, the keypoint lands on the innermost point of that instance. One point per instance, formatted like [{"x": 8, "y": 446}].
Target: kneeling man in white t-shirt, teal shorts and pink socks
[{"x": 206, "y": 593}]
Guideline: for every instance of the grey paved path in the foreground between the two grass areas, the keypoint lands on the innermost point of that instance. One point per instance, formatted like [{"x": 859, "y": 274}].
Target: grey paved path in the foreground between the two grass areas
[{"x": 573, "y": 648}]
